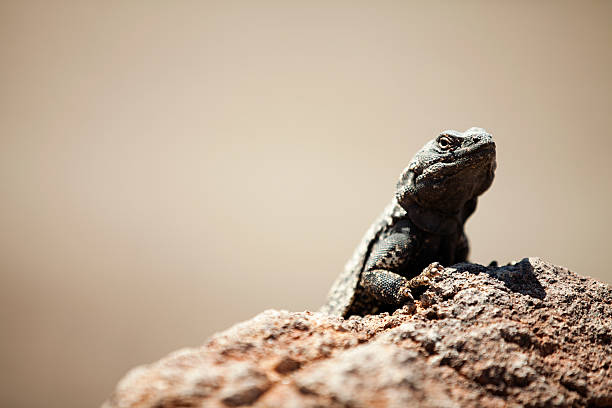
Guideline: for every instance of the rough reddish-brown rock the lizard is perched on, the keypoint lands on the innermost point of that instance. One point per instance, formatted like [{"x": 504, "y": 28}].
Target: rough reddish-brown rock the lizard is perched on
[{"x": 528, "y": 334}]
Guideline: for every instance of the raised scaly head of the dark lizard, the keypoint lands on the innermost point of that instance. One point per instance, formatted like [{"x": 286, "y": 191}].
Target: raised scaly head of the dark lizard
[{"x": 449, "y": 171}]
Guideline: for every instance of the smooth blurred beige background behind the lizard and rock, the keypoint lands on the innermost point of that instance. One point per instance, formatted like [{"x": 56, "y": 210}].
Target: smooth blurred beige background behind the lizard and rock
[{"x": 170, "y": 168}]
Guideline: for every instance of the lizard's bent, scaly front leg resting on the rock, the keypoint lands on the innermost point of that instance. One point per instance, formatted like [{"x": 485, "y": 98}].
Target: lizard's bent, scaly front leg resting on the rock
[{"x": 378, "y": 278}]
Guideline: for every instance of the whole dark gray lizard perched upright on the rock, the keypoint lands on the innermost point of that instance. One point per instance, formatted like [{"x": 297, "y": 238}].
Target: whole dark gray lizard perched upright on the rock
[{"x": 421, "y": 228}]
